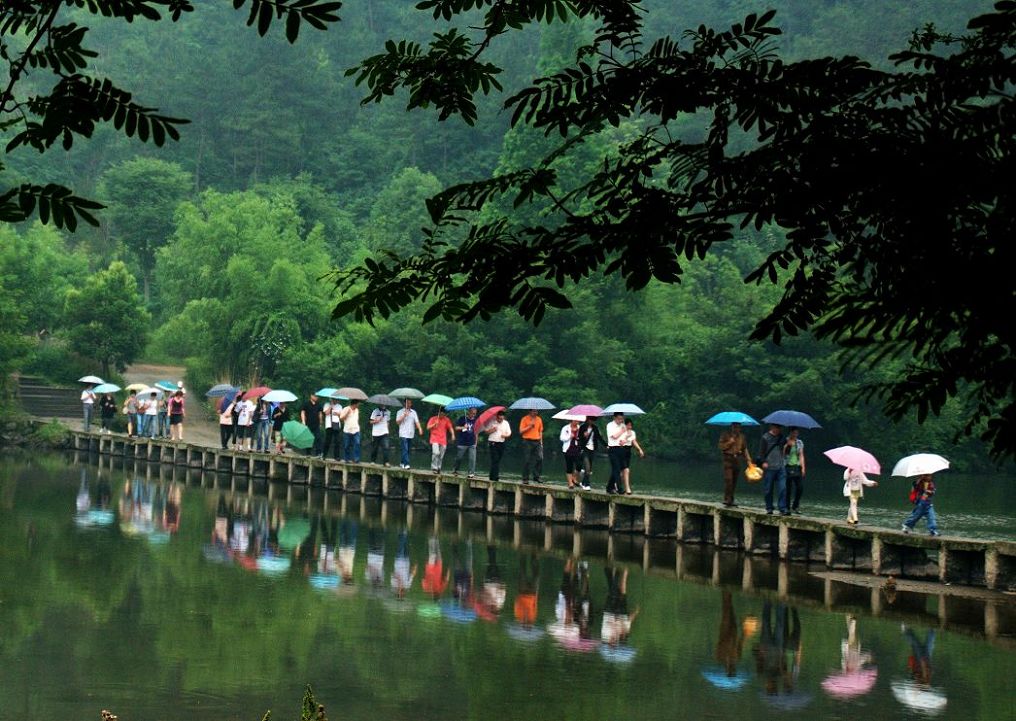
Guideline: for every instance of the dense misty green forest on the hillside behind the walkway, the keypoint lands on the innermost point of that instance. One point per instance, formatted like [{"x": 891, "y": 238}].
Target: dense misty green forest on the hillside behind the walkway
[{"x": 217, "y": 250}]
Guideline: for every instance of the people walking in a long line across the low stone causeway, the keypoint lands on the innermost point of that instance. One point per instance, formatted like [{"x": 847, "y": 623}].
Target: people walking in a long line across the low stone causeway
[{"x": 256, "y": 425}]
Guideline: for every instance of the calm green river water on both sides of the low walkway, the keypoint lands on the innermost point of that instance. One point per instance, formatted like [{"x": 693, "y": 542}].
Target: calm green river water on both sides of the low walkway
[{"x": 175, "y": 600}]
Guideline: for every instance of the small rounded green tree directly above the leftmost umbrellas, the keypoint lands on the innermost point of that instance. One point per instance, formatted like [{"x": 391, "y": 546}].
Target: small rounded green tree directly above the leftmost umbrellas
[{"x": 105, "y": 319}]
